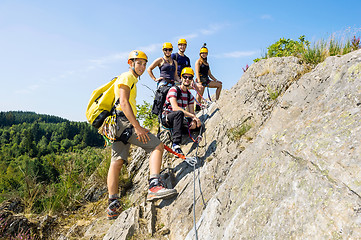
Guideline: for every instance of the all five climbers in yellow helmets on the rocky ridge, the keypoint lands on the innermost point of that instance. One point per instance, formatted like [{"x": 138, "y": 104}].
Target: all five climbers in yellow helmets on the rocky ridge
[{"x": 178, "y": 113}]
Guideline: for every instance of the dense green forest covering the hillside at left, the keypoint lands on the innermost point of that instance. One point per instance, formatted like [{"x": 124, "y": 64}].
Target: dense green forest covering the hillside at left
[{"x": 44, "y": 159}]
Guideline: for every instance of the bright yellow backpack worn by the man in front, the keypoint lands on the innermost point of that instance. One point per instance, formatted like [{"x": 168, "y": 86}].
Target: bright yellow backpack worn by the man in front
[{"x": 101, "y": 104}]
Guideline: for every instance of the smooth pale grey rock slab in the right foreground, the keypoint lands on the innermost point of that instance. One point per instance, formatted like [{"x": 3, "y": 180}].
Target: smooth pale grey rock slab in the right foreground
[{"x": 300, "y": 178}]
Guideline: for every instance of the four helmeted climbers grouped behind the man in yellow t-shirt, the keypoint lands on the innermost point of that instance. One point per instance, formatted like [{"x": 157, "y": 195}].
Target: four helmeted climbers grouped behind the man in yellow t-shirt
[{"x": 176, "y": 112}]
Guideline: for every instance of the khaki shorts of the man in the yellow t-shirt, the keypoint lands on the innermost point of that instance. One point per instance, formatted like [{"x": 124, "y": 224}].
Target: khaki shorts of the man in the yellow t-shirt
[{"x": 121, "y": 150}]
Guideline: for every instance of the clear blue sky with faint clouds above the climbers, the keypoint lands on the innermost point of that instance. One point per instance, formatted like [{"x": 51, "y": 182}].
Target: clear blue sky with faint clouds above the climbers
[{"x": 53, "y": 54}]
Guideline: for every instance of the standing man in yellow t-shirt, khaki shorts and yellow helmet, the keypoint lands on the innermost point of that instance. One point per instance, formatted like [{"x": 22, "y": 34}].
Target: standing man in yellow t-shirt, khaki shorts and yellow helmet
[{"x": 130, "y": 132}]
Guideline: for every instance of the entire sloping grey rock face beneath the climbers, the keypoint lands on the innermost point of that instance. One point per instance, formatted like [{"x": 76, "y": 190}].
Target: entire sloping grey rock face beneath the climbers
[{"x": 280, "y": 159}]
